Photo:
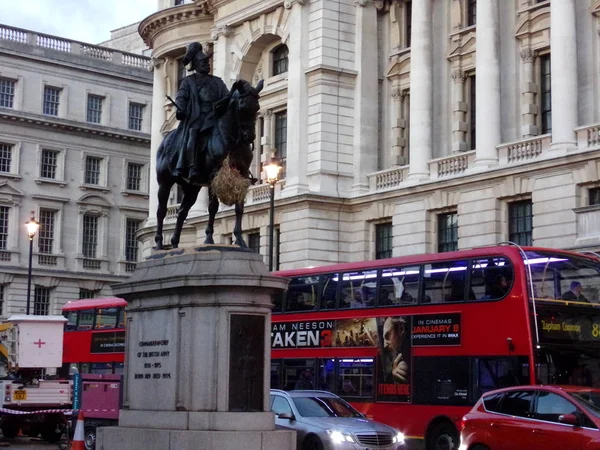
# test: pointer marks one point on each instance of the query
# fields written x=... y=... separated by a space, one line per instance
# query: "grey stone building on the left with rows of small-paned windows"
x=74 y=148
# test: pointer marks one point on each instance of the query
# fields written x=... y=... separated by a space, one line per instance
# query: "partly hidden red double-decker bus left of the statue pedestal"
x=94 y=338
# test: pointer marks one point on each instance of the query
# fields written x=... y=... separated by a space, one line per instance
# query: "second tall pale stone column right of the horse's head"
x=366 y=119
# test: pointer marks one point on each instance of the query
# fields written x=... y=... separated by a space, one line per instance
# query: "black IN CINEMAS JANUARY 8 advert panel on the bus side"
x=436 y=330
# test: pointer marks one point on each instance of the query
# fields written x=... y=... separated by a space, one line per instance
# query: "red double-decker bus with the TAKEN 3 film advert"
x=414 y=341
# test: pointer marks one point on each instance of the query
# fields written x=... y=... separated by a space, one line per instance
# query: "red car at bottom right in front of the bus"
x=534 y=417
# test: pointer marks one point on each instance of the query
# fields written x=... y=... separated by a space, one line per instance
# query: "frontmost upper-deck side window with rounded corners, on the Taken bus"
x=491 y=278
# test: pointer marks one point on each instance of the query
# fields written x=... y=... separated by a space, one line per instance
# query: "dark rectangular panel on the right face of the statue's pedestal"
x=246 y=363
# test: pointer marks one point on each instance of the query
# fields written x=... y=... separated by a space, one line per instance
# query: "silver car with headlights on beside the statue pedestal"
x=324 y=421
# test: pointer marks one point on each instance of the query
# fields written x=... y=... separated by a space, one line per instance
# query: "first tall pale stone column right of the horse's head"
x=297 y=104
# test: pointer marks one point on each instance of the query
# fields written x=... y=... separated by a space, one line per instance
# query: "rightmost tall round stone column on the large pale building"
x=563 y=61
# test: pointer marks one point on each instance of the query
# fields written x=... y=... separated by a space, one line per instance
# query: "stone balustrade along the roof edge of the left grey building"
x=59 y=44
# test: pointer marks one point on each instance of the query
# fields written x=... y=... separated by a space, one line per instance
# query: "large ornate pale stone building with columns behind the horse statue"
x=404 y=126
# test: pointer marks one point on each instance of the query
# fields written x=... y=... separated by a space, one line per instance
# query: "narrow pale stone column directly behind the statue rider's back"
x=159 y=91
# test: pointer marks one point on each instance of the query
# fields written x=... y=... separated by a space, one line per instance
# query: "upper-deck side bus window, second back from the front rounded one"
x=445 y=282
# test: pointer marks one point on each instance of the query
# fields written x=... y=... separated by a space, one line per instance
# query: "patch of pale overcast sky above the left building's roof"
x=82 y=20
